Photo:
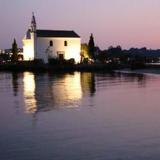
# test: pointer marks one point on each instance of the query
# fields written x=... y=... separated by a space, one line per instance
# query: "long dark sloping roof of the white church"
x=57 y=33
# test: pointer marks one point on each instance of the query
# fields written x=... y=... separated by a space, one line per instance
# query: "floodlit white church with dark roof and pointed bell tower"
x=48 y=44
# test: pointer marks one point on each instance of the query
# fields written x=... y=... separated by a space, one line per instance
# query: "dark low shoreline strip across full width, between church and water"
x=63 y=68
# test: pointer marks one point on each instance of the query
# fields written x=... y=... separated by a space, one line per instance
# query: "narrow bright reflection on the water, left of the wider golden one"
x=29 y=92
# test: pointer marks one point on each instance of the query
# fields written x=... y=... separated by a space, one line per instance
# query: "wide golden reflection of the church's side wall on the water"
x=69 y=92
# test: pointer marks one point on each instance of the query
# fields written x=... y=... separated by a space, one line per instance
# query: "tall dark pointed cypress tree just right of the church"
x=91 y=47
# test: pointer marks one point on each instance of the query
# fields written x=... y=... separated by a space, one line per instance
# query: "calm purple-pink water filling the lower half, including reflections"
x=79 y=116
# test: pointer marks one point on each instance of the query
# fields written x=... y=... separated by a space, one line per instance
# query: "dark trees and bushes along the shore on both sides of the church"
x=113 y=57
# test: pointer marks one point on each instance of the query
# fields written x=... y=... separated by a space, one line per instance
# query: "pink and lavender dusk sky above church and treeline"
x=128 y=23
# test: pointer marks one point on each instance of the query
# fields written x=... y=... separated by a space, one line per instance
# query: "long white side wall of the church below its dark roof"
x=45 y=51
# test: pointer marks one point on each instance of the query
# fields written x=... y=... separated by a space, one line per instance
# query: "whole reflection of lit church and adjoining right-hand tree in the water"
x=44 y=92
